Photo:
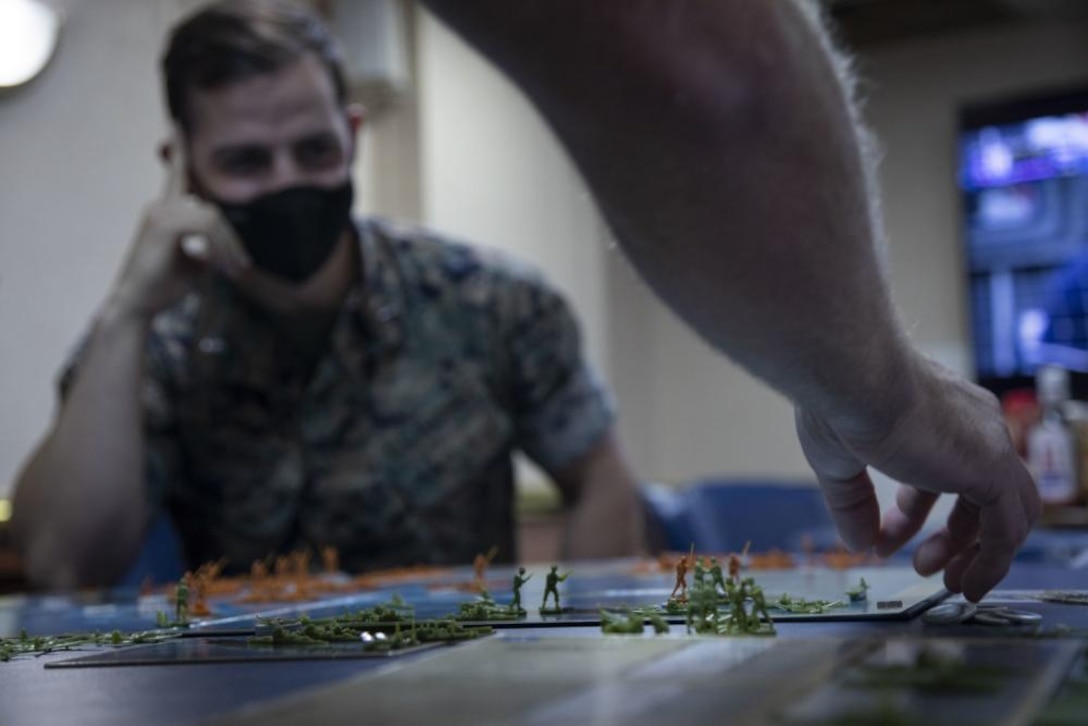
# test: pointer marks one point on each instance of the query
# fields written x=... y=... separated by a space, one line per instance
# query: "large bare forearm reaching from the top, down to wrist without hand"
x=721 y=142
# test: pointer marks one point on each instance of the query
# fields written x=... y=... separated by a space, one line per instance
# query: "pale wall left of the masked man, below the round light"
x=77 y=164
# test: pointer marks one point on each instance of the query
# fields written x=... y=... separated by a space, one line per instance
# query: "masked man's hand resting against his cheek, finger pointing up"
x=179 y=238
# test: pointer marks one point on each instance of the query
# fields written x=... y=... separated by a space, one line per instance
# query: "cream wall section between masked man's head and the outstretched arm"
x=493 y=175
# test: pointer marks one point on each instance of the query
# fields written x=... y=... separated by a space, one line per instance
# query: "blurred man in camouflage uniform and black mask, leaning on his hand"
x=276 y=376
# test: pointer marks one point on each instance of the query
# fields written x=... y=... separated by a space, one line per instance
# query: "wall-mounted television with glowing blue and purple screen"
x=1023 y=171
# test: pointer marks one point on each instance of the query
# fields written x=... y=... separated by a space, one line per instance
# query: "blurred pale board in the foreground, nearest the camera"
x=634 y=682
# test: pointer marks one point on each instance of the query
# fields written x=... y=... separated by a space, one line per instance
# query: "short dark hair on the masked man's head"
x=232 y=41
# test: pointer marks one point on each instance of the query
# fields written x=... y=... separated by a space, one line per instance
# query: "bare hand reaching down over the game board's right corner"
x=953 y=440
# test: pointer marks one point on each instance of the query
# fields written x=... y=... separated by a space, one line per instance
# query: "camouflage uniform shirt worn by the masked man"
x=397 y=446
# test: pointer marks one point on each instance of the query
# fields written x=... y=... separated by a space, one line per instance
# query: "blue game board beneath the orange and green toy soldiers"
x=896 y=593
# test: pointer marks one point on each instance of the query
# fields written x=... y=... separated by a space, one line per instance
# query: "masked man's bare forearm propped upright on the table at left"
x=80 y=508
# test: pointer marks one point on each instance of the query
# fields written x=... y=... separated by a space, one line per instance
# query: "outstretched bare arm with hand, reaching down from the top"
x=724 y=150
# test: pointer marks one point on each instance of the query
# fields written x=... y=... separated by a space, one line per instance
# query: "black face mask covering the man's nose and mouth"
x=291 y=233
